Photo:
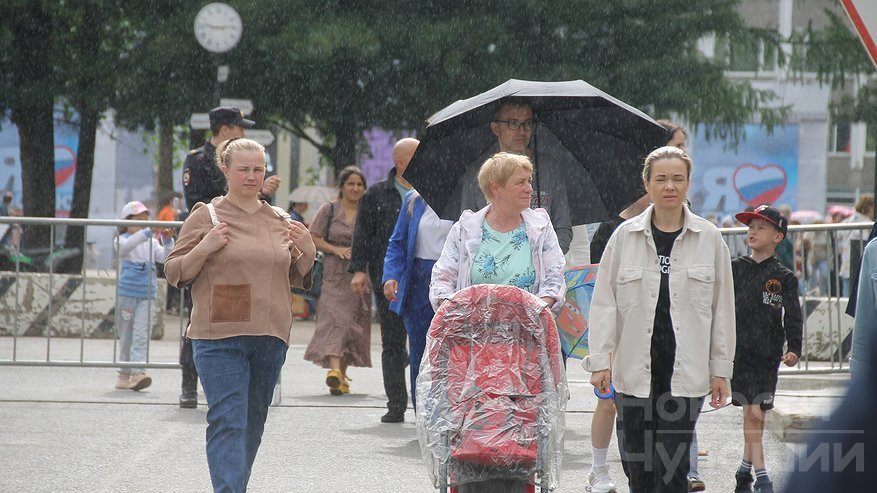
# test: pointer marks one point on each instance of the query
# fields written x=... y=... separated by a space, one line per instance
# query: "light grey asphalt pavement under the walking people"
x=66 y=429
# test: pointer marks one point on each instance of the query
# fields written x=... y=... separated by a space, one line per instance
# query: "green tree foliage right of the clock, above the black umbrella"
x=343 y=67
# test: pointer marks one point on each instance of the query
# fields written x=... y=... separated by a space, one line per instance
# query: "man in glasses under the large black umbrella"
x=513 y=125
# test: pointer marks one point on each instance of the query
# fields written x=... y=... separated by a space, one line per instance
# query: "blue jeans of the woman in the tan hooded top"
x=238 y=375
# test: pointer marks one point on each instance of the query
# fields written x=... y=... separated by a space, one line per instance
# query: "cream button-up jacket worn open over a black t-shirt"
x=622 y=314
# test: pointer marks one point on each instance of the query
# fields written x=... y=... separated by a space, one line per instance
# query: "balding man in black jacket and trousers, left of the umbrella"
x=375 y=220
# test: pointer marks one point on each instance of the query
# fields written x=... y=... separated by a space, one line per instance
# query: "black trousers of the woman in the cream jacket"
x=657 y=439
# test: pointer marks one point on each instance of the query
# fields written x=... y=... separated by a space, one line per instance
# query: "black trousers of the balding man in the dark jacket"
x=394 y=356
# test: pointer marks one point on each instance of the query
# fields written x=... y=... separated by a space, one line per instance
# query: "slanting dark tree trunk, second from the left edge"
x=75 y=235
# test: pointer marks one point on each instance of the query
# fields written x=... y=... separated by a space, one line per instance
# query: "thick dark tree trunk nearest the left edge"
x=37 y=149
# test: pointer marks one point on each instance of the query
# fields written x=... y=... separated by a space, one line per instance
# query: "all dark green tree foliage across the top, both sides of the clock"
x=343 y=67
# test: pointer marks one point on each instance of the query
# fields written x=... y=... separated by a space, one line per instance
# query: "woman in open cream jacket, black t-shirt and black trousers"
x=663 y=307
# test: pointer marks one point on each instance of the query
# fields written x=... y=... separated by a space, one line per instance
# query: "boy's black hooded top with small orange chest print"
x=768 y=310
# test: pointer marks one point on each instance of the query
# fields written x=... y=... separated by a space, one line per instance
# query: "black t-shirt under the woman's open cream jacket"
x=663 y=347
